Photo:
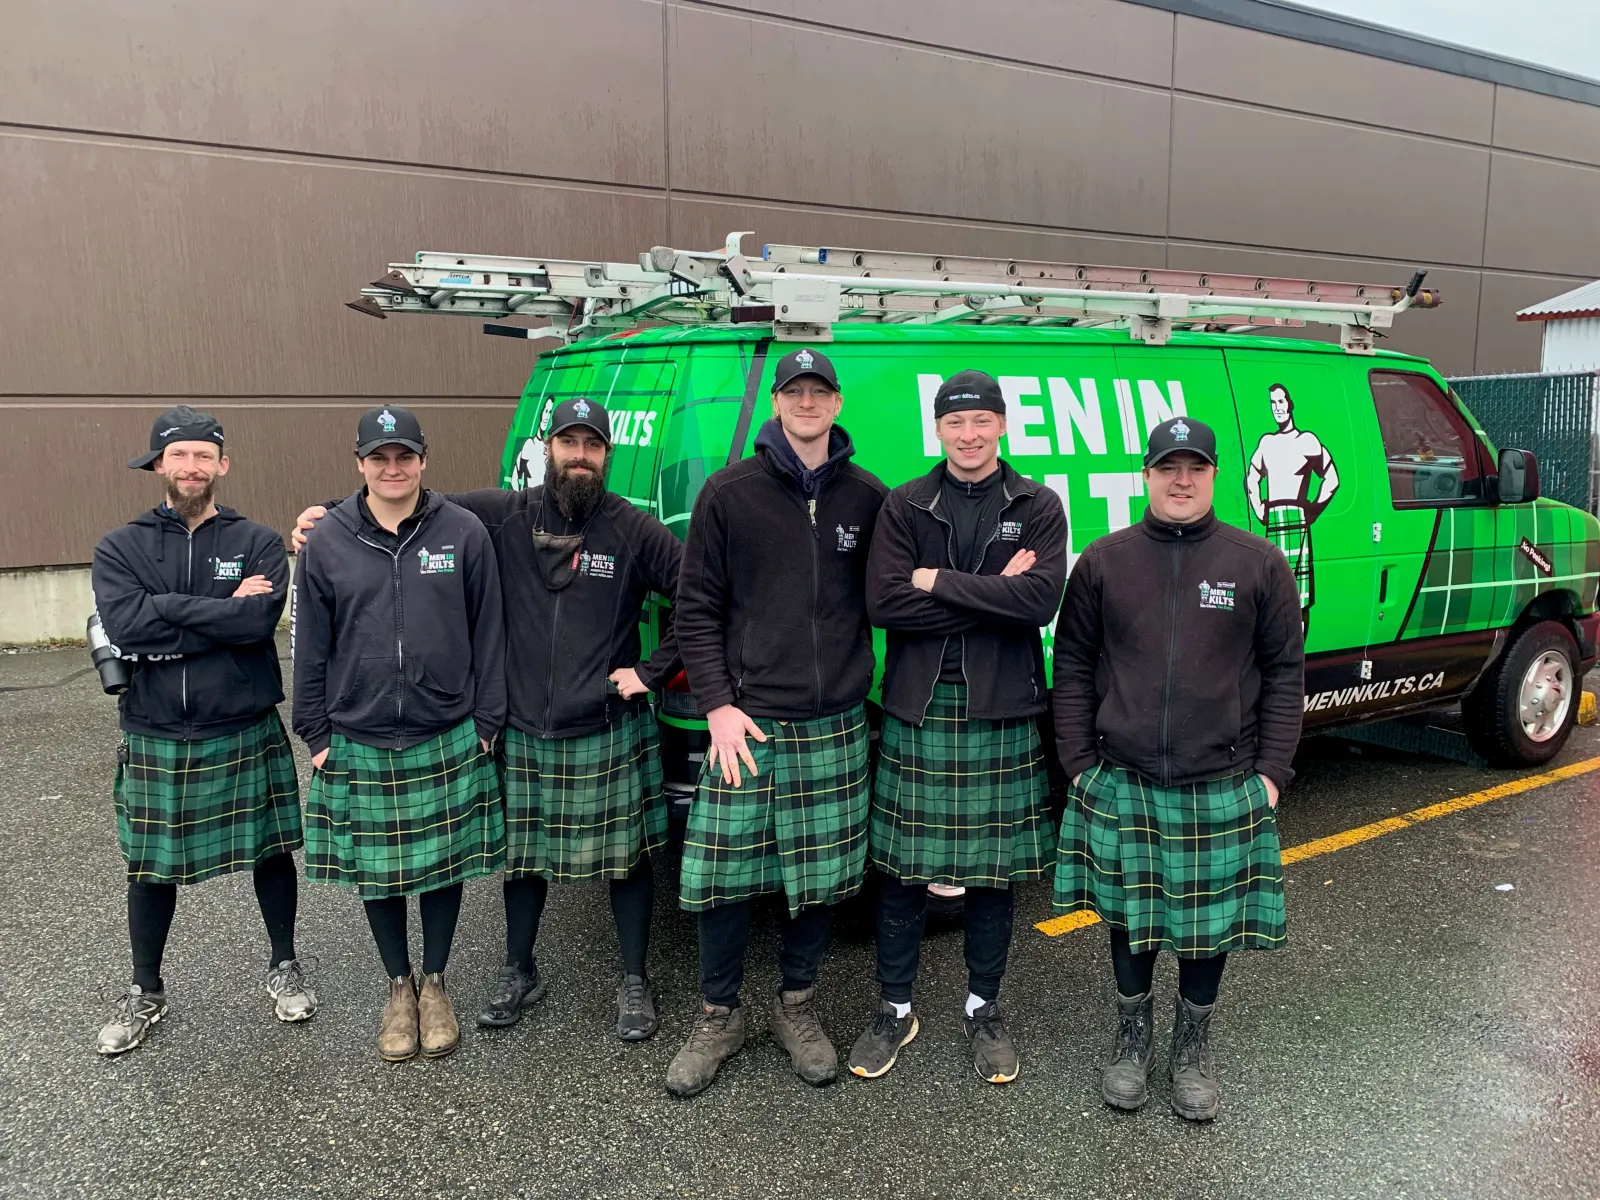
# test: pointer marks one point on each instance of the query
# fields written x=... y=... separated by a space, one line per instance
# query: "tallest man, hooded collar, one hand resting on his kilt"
x=774 y=628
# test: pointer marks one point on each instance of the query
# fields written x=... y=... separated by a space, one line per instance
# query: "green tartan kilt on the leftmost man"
x=190 y=810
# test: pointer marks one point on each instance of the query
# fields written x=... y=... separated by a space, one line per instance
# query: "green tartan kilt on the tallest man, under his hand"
x=798 y=826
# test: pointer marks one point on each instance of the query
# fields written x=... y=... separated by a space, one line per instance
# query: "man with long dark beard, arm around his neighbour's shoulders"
x=582 y=761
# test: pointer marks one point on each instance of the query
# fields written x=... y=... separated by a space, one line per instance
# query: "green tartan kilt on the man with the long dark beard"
x=583 y=809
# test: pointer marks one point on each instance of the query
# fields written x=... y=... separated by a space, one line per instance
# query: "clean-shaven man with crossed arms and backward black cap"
x=967 y=566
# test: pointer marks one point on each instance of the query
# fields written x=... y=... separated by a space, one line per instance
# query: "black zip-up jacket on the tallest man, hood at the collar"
x=772 y=602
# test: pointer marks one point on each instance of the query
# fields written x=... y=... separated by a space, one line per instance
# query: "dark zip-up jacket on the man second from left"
x=398 y=636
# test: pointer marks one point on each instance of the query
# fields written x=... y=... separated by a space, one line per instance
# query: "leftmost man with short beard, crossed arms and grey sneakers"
x=191 y=594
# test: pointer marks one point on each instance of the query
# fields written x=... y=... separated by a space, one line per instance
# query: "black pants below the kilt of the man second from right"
x=902 y=921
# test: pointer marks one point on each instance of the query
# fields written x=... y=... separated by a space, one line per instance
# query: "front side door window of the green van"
x=1428 y=446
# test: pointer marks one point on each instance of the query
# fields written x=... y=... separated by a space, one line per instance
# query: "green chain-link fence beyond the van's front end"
x=1551 y=415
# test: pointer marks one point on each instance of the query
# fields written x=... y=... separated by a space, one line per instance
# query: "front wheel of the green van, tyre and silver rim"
x=1526 y=706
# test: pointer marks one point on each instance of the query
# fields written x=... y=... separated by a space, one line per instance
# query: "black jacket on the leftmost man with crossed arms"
x=204 y=663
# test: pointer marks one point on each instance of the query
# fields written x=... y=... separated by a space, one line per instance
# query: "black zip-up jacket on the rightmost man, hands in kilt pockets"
x=1180 y=655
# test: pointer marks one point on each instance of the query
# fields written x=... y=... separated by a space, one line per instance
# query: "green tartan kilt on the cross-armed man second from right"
x=961 y=801
